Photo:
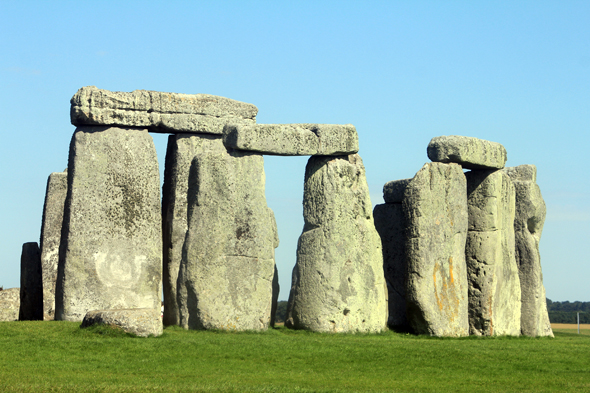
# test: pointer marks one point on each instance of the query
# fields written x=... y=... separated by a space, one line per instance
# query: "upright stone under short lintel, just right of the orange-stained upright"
x=494 y=287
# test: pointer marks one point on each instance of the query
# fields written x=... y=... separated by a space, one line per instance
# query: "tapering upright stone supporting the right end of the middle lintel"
x=338 y=283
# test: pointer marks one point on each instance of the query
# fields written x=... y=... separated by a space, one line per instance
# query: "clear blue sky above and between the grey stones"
x=517 y=73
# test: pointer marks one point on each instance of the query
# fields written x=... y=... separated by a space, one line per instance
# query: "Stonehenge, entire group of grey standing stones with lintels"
x=453 y=251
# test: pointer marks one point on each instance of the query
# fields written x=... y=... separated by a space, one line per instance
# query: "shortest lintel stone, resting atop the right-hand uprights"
x=471 y=153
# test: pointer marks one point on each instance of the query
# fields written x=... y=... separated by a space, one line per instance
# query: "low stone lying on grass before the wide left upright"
x=142 y=322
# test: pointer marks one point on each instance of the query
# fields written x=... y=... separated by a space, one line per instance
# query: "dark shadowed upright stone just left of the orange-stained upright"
x=390 y=223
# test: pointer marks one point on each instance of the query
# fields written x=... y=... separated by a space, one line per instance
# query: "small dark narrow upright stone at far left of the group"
x=31 y=284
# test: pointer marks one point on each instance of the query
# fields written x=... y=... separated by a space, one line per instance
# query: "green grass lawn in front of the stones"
x=59 y=356
